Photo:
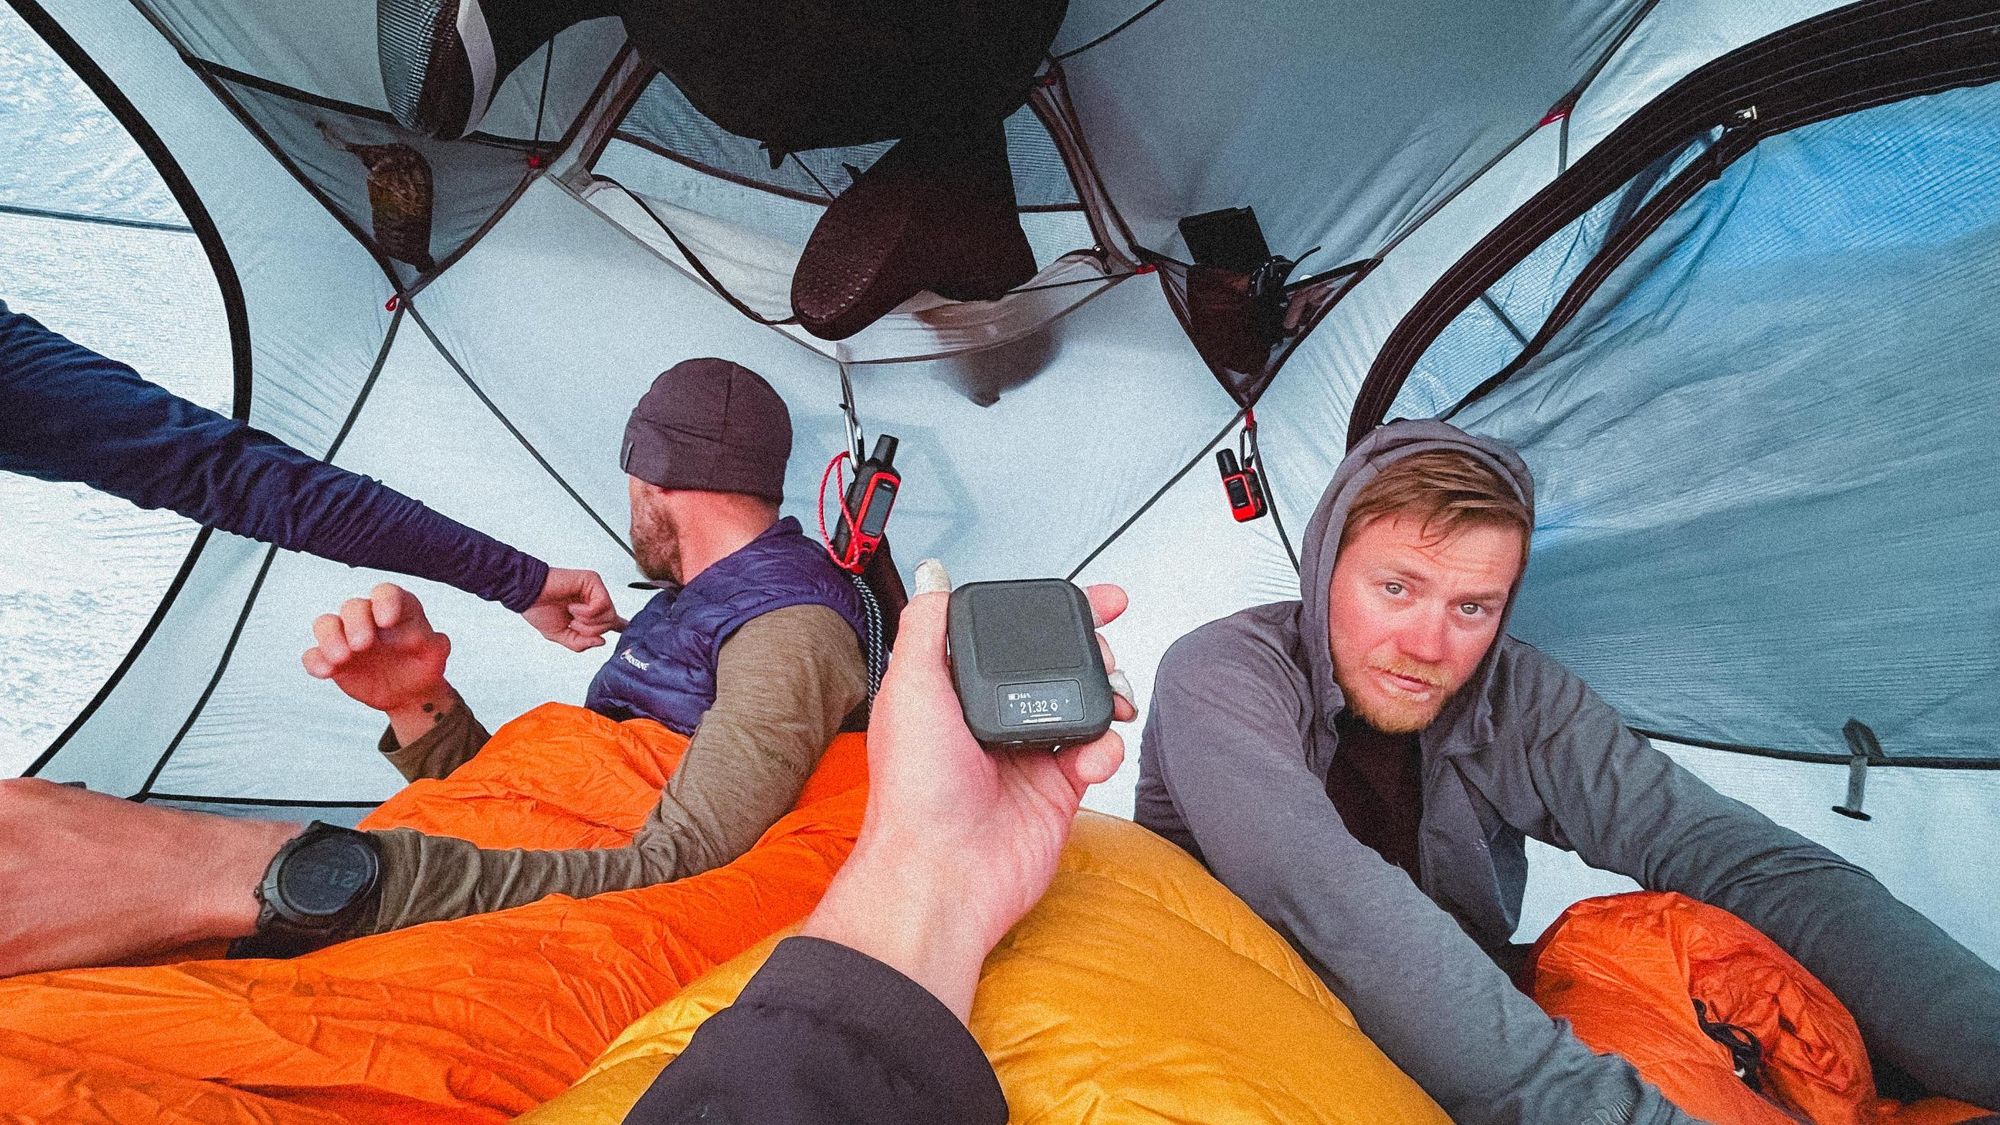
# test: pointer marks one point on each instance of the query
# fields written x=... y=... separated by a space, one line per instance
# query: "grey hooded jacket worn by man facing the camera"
x=1235 y=762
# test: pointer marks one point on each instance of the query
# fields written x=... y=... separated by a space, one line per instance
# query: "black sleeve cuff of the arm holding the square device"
x=827 y=1034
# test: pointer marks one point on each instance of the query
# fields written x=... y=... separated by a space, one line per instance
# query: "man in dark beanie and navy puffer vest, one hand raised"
x=753 y=648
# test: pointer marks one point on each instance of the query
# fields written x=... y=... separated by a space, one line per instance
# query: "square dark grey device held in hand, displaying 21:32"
x=1027 y=666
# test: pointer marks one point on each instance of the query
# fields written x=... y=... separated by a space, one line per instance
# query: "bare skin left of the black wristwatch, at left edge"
x=93 y=880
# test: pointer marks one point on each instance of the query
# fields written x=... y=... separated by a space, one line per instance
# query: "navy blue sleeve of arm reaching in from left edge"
x=69 y=413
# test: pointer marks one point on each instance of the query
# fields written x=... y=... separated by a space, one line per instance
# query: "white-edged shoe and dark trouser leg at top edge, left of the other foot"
x=443 y=61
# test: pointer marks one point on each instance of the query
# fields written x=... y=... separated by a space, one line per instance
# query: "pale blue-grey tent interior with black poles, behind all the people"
x=1725 y=273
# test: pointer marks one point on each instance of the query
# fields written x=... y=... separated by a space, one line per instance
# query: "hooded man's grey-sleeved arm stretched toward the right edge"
x=1921 y=1000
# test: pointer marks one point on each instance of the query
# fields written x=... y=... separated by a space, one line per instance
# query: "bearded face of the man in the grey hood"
x=1411 y=616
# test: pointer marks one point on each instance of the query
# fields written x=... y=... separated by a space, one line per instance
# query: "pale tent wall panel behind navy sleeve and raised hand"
x=421 y=431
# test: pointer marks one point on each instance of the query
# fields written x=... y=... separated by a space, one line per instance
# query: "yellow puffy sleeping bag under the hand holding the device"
x=1139 y=990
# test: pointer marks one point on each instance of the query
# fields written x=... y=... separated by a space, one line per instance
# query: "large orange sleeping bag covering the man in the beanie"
x=459 y=1022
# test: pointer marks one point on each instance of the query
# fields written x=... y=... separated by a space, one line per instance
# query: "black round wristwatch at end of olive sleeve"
x=315 y=890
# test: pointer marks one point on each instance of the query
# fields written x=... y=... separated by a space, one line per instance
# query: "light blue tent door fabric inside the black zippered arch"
x=1767 y=445
